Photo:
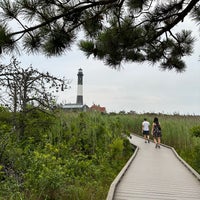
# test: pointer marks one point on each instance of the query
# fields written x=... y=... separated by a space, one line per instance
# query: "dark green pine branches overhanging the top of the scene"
x=116 y=31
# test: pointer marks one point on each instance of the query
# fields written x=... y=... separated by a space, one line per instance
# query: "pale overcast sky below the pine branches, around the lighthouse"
x=141 y=88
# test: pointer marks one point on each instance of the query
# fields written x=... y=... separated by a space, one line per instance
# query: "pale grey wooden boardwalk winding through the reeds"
x=155 y=174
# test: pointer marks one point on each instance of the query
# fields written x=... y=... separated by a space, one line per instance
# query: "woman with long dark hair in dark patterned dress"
x=156 y=132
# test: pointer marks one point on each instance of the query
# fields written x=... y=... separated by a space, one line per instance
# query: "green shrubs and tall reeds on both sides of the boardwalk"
x=76 y=156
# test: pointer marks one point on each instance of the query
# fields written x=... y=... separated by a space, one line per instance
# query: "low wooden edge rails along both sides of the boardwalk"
x=122 y=173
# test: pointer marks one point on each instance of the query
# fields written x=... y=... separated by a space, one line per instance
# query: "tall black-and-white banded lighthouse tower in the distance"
x=79 y=99
